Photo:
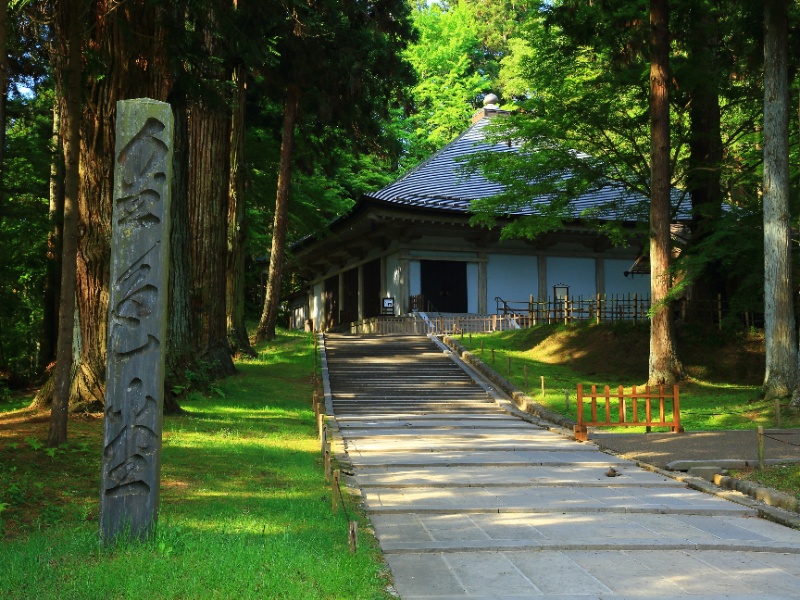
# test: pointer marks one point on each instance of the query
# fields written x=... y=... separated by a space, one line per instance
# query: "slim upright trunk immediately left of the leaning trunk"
x=237 y=222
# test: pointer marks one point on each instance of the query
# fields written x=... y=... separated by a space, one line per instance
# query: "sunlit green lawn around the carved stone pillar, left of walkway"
x=245 y=510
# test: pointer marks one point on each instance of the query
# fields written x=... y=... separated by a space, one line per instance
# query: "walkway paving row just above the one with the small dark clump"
x=465 y=458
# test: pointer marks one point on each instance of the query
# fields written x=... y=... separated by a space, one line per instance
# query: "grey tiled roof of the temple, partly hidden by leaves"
x=441 y=182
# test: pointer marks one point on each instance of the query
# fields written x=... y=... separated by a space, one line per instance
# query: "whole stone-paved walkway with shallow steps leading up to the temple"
x=469 y=501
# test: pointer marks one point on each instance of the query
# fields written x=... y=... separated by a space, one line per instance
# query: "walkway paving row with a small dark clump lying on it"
x=432 y=476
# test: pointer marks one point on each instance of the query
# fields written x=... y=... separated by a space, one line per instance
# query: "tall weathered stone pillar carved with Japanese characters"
x=130 y=489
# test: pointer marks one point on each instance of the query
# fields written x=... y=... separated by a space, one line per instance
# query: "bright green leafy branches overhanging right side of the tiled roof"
x=583 y=112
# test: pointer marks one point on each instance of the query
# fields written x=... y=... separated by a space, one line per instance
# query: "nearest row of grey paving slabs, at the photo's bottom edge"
x=573 y=574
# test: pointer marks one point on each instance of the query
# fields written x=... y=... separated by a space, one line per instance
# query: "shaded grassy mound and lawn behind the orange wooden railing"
x=721 y=392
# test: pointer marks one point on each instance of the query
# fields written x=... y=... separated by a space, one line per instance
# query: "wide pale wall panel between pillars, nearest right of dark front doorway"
x=513 y=278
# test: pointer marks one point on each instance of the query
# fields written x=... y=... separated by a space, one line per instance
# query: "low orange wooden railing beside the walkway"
x=620 y=416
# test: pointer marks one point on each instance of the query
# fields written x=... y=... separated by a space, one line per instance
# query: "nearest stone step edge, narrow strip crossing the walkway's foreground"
x=459 y=546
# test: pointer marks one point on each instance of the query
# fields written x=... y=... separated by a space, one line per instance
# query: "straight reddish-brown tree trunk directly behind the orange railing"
x=664 y=365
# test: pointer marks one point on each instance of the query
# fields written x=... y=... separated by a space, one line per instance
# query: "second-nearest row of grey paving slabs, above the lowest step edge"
x=413 y=532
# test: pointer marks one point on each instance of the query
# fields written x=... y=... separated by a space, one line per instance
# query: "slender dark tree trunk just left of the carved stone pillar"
x=69 y=23
